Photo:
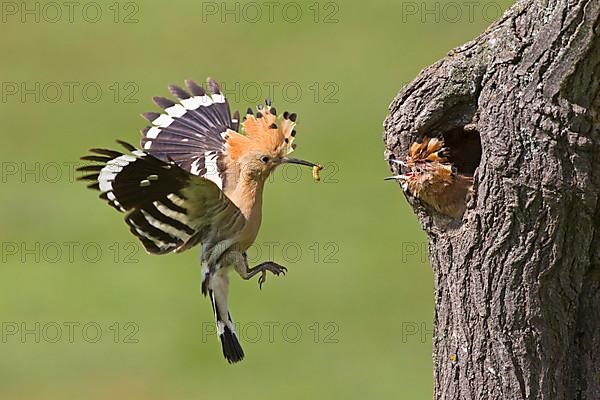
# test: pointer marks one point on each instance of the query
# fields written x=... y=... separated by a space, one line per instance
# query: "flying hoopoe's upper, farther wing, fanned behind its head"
x=191 y=132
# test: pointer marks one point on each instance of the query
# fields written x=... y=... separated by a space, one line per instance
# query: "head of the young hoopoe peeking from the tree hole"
x=426 y=167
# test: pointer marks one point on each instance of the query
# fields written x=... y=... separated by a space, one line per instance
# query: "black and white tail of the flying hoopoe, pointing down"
x=217 y=286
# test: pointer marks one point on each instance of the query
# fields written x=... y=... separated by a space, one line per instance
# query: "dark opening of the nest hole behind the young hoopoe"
x=464 y=148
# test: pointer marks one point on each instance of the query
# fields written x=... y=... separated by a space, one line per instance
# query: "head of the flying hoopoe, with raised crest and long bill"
x=265 y=142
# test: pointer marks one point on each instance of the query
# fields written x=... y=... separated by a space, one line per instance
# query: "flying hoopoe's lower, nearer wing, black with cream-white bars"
x=168 y=208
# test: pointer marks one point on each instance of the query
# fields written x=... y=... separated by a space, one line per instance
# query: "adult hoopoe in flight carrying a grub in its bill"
x=199 y=180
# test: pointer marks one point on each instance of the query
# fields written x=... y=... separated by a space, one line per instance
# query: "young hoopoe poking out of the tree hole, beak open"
x=431 y=177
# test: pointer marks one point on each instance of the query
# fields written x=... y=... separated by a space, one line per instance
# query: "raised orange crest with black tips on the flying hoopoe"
x=265 y=132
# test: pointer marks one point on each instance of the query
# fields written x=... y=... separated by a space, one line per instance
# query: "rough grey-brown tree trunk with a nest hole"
x=517 y=299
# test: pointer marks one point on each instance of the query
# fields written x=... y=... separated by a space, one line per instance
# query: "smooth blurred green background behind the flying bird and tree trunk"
x=353 y=317
